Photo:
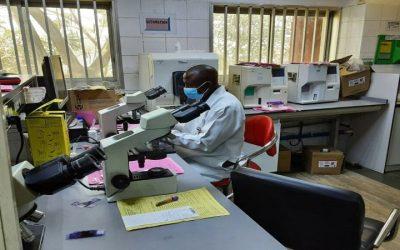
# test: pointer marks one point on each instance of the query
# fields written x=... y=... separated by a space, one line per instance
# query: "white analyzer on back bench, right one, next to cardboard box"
x=313 y=82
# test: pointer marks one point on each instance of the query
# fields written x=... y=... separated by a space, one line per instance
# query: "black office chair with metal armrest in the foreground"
x=303 y=215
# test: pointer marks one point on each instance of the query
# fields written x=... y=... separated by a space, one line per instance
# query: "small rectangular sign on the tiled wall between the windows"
x=157 y=23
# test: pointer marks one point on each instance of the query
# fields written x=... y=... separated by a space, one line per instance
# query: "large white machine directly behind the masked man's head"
x=166 y=70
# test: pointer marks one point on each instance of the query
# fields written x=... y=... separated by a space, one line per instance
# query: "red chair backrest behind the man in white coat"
x=259 y=130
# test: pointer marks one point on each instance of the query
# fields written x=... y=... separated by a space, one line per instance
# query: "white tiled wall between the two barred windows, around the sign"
x=192 y=20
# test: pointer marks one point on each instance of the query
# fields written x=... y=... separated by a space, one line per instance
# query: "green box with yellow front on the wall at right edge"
x=387 y=50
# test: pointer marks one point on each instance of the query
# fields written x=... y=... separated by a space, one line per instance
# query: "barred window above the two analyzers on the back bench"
x=273 y=34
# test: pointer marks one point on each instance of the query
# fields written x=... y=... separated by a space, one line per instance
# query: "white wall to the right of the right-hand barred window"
x=361 y=24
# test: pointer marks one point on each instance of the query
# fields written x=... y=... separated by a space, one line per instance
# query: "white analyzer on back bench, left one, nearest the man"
x=256 y=84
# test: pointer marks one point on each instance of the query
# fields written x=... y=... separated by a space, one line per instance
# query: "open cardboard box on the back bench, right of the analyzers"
x=354 y=82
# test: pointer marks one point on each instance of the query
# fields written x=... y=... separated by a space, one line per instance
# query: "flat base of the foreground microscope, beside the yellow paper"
x=144 y=188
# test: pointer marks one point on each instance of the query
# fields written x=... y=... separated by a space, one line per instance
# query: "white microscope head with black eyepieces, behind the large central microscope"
x=132 y=102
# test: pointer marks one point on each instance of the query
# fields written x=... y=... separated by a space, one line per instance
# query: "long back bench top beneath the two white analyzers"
x=326 y=109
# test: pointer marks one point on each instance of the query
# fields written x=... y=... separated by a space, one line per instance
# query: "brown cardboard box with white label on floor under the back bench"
x=318 y=162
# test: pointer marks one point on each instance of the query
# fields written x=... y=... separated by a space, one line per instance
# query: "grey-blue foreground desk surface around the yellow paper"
x=236 y=231
